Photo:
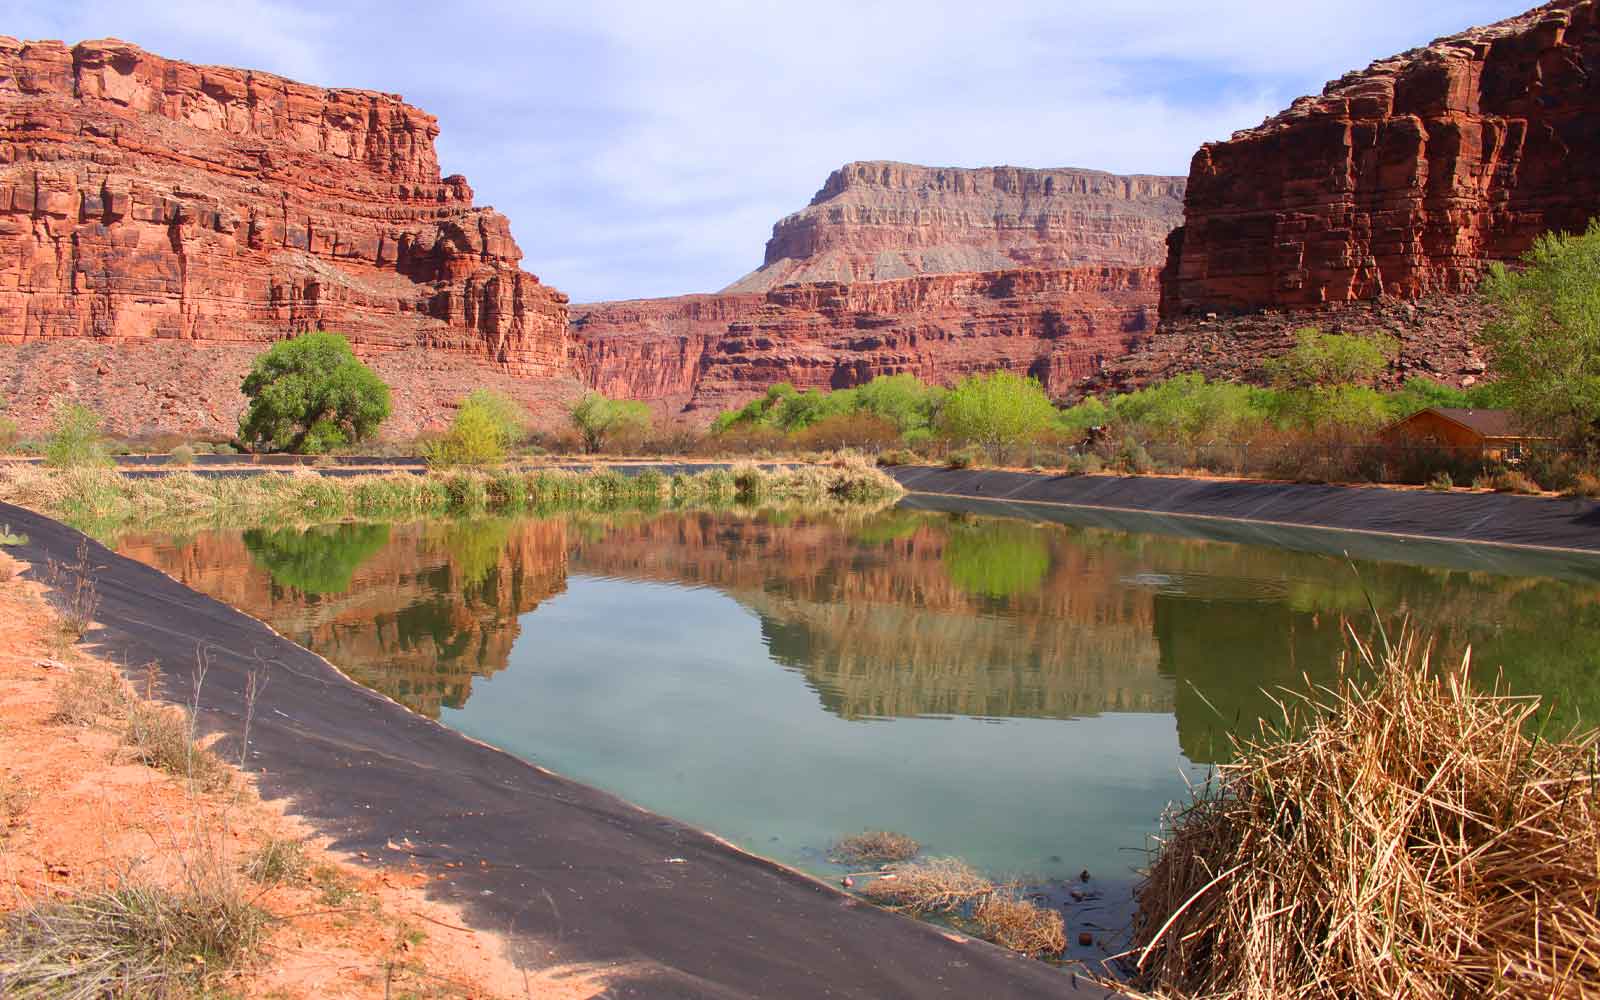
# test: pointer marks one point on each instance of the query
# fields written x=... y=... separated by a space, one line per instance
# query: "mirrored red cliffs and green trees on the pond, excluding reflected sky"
x=900 y=614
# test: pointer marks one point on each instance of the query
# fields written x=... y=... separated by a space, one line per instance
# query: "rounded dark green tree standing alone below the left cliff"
x=311 y=394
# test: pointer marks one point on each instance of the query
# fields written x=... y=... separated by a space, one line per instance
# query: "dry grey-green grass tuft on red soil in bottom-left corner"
x=134 y=942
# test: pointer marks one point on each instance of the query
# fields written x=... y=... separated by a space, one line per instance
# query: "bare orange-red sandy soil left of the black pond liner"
x=78 y=817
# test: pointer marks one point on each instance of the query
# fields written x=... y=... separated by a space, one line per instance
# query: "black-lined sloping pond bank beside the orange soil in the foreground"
x=572 y=874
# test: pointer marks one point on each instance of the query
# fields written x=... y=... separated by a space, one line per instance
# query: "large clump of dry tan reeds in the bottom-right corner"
x=1410 y=841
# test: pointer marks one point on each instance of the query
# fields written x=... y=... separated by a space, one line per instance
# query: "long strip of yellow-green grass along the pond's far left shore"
x=103 y=498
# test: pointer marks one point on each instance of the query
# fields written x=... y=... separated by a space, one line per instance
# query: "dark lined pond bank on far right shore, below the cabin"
x=1473 y=518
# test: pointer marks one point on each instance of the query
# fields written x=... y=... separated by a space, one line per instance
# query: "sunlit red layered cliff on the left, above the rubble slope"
x=150 y=202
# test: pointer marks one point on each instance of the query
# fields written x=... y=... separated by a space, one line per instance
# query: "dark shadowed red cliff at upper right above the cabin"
x=1399 y=183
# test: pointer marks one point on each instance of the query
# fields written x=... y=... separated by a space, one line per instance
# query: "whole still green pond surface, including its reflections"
x=1025 y=695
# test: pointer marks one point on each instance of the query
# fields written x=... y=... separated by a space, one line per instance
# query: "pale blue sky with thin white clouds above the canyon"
x=646 y=148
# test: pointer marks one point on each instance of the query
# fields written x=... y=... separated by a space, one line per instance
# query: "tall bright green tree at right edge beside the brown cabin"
x=1546 y=340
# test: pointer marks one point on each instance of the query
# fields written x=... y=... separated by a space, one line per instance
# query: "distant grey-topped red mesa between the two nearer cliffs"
x=906 y=270
